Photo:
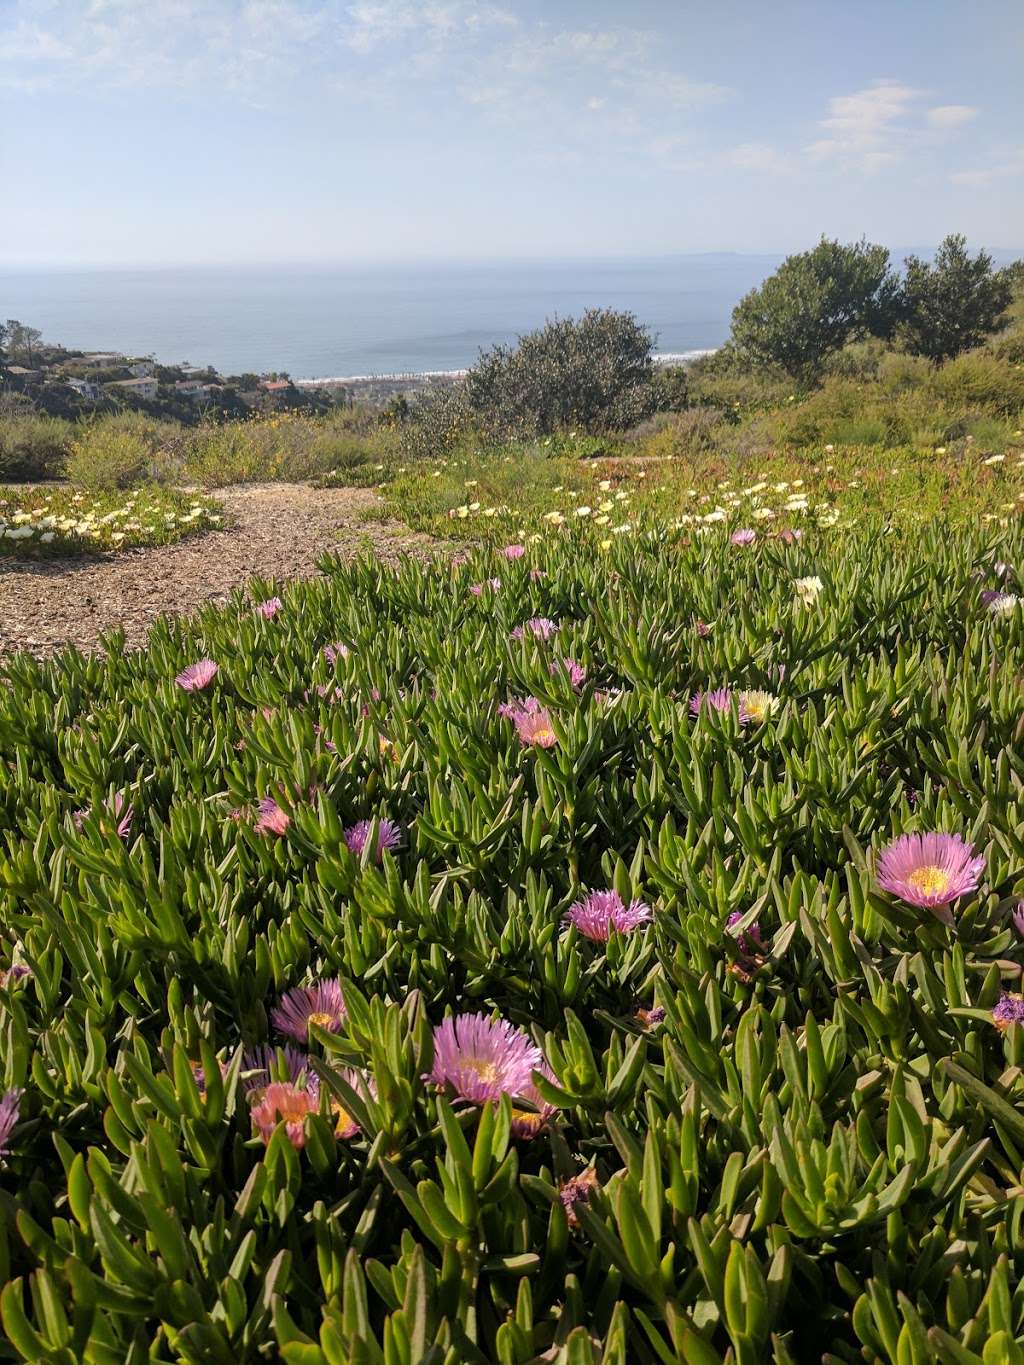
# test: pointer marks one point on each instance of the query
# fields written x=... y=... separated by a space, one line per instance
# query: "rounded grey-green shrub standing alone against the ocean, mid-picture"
x=595 y=375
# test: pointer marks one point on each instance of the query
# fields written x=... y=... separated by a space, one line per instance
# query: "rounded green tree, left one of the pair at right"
x=814 y=304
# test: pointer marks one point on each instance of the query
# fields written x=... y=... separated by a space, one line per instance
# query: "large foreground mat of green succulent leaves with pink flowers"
x=552 y=955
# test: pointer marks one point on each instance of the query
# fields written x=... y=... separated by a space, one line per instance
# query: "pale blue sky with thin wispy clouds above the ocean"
x=326 y=130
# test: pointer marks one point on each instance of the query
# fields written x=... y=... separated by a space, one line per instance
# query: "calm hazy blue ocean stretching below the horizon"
x=324 y=323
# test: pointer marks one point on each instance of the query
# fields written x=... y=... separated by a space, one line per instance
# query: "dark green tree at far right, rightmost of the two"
x=954 y=302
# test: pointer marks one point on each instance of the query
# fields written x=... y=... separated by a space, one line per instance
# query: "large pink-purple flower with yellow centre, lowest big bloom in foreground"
x=483 y=1060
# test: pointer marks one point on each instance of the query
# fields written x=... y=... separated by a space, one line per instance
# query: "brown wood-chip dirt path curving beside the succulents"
x=281 y=532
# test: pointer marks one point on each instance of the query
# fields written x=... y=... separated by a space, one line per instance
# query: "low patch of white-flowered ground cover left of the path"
x=61 y=519
